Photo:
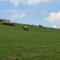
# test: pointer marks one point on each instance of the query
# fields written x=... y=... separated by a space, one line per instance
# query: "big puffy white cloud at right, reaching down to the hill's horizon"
x=54 y=18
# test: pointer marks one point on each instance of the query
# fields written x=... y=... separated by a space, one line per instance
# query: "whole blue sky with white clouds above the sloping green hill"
x=43 y=12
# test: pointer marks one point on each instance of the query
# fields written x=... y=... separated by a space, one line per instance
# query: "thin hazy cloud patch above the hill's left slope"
x=15 y=15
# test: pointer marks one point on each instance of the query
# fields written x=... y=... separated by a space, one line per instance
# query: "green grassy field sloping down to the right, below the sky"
x=36 y=44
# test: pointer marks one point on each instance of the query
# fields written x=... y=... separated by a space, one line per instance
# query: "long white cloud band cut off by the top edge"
x=29 y=2
